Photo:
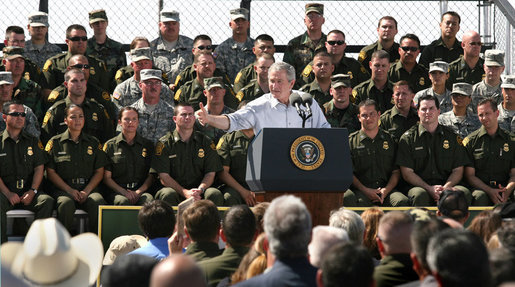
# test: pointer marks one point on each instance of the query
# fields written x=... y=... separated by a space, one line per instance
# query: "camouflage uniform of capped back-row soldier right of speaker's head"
x=301 y=50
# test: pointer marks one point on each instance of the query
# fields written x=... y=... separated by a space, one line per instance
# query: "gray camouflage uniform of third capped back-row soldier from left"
x=174 y=61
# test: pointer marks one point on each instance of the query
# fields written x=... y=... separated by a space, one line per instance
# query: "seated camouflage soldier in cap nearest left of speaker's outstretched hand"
x=155 y=115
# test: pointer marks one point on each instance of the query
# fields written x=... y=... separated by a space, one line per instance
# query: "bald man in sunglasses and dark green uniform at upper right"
x=469 y=67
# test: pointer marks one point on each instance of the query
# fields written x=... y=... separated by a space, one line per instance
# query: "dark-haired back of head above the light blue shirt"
x=156 y=219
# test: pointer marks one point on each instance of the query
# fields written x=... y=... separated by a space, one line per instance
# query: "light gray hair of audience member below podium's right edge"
x=349 y=221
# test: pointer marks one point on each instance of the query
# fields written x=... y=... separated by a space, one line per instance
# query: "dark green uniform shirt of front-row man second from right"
x=431 y=156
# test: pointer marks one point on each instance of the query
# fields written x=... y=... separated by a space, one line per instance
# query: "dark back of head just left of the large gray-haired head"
x=239 y=225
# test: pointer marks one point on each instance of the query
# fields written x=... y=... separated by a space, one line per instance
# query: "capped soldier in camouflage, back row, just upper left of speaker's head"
x=235 y=53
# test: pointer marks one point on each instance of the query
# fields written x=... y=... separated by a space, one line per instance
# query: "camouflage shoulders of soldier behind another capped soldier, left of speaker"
x=128 y=92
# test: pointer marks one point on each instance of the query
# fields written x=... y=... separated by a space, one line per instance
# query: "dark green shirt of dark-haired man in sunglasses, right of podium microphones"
x=418 y=78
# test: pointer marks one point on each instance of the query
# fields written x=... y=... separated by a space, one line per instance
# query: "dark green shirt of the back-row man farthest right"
x=437 y=51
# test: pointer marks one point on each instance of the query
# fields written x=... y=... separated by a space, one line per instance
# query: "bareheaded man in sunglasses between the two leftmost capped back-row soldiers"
x=55 y=67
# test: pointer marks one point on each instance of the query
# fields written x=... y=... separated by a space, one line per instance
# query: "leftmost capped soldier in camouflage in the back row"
x=38 y=49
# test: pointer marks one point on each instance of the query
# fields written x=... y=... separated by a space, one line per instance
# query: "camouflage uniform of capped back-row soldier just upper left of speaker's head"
x=232 y=56
